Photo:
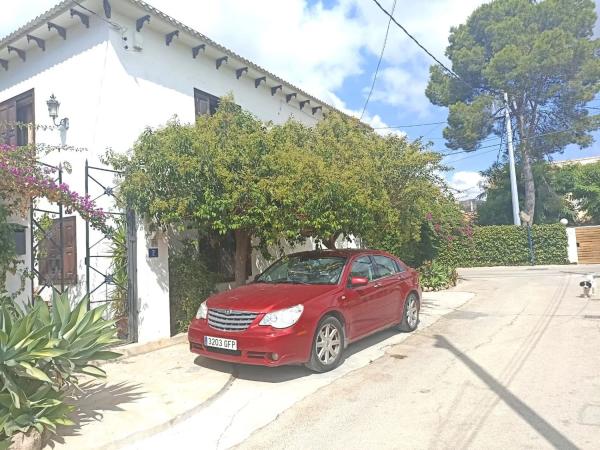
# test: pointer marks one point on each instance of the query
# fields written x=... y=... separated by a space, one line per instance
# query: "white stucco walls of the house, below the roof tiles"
x=110 y=95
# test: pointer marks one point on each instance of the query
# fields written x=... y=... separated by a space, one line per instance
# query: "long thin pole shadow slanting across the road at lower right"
x=538 y=423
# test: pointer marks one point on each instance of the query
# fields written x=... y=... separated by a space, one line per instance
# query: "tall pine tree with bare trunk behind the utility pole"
x=542 y=54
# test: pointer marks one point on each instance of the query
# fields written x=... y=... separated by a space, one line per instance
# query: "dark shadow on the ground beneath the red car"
x=288 y=373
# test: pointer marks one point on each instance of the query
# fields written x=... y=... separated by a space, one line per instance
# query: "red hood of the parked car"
x=263 y=297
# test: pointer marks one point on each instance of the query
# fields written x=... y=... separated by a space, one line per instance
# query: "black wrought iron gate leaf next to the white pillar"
x=110 y=259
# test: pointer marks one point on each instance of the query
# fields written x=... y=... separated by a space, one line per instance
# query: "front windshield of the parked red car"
x=304 y=270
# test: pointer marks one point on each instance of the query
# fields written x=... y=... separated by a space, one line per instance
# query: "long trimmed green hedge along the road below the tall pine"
x=506 y=245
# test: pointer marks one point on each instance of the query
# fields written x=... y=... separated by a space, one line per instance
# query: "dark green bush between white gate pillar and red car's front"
x=190 y=283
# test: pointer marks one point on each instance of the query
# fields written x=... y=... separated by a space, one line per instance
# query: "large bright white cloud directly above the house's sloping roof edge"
x=313 y=47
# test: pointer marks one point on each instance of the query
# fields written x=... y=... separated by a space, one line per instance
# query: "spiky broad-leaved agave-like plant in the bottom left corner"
x=42 y=351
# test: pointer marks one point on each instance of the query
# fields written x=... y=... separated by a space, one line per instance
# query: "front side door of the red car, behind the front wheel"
x=362 y=302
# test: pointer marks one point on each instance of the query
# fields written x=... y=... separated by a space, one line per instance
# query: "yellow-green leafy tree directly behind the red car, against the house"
x=229 y=172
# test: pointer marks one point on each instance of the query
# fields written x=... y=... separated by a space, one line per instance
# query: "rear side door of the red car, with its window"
x=391 y=281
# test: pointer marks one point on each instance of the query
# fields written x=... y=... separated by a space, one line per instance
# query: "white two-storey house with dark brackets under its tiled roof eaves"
x=116 y=67
